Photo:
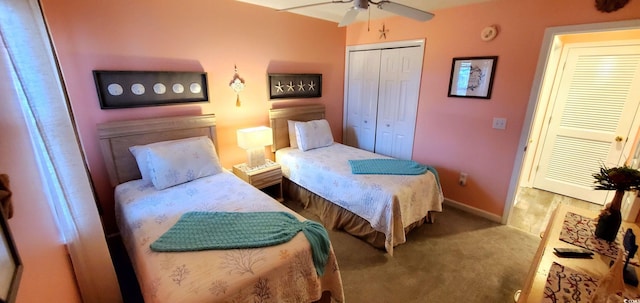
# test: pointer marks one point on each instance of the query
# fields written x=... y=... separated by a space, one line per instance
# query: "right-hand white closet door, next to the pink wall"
x=400 y=73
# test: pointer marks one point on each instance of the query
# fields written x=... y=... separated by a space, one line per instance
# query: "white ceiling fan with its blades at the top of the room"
x=363 y=5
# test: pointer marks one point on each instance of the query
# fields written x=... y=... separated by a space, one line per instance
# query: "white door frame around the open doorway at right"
x=547 y=65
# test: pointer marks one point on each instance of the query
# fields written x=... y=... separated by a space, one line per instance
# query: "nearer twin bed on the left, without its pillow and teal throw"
x=280 y=273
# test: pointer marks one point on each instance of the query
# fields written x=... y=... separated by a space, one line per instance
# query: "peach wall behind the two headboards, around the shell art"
x=198 y=35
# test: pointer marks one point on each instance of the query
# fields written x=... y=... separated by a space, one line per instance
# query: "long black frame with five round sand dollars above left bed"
x=126 y=89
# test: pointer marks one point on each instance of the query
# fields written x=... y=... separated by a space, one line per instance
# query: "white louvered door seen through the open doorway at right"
x=594 y=105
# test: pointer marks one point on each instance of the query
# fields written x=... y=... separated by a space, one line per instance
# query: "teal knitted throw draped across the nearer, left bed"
x=230 y=230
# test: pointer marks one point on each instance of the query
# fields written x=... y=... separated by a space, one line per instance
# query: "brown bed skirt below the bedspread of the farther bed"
x=335 y=217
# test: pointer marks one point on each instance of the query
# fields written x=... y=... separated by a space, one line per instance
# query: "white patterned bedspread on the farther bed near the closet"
x=388 y=202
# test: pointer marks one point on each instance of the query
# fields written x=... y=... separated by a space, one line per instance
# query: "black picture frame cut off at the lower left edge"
x=10 y=264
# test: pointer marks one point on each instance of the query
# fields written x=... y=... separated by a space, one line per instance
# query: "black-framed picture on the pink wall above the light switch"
x=472 y=77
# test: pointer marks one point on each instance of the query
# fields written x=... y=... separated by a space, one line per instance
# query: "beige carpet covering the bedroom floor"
x=459 y=258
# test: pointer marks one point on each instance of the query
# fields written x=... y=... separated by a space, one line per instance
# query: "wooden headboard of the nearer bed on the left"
x=116 y=138
